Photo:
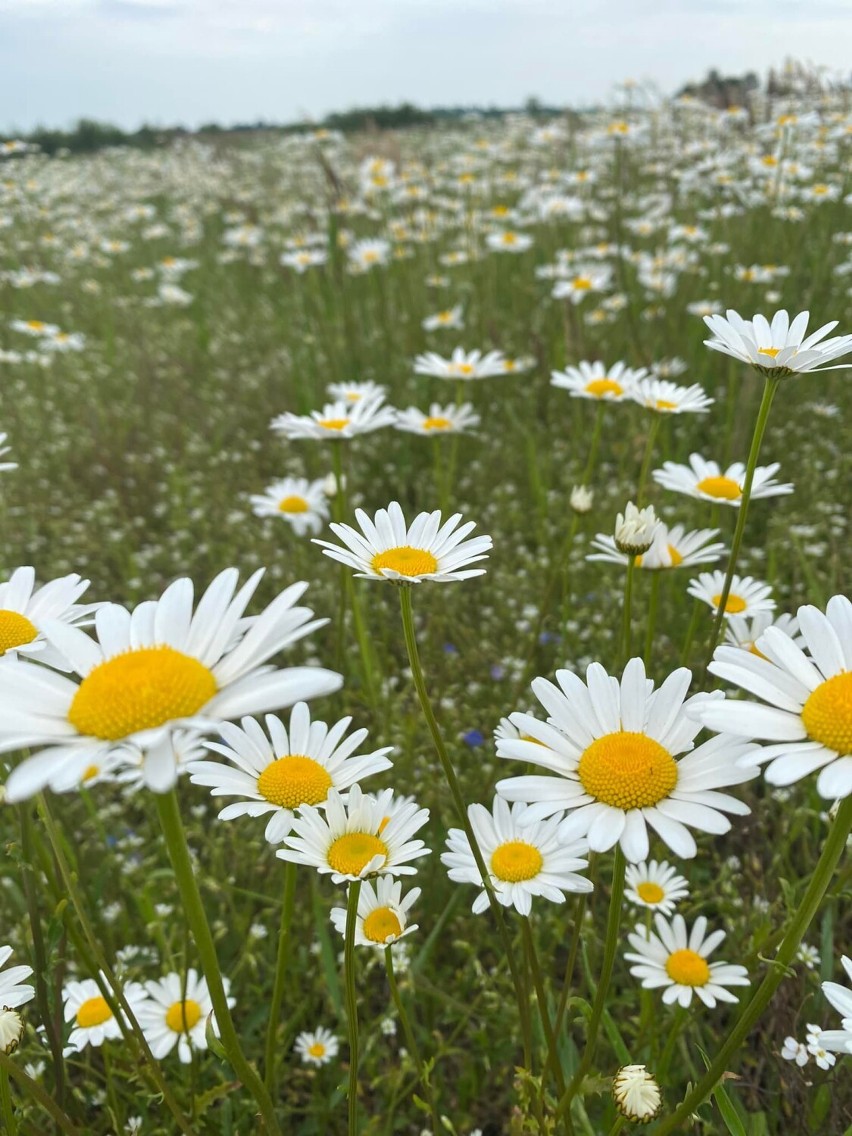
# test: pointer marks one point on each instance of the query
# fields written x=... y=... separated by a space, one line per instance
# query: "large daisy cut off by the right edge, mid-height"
x=807 y=699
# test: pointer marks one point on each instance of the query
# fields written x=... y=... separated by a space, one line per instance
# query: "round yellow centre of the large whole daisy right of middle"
x=628 y=771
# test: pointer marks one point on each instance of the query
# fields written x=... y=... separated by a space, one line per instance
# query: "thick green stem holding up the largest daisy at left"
x=179 y=853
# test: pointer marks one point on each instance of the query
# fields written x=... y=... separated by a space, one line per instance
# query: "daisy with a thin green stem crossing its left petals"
x=524 y=861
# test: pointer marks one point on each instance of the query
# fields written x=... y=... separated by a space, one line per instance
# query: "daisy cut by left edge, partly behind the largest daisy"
x=24 y=608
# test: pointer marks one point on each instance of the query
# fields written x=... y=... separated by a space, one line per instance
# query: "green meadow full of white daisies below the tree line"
x=427 y=682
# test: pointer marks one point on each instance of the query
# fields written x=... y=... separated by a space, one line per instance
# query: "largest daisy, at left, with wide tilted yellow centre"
x=151 y=672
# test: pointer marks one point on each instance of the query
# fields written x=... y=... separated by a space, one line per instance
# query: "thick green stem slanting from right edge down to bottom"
x=832 y=853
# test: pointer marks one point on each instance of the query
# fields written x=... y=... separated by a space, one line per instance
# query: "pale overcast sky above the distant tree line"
x=189 y=62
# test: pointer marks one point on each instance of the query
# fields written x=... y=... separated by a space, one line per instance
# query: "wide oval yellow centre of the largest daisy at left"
x=140 y=690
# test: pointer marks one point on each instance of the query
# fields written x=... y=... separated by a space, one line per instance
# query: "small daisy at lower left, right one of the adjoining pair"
x=177 y=1014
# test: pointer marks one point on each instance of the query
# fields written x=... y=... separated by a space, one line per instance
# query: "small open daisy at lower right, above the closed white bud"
x=676 y=960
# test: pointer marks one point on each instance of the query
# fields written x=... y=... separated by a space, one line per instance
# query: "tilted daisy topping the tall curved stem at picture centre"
x=427 y=550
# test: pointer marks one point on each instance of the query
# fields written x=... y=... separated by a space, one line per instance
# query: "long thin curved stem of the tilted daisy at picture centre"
x=414 y=659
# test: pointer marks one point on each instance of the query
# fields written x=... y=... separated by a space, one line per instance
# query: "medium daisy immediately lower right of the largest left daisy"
x=278 y=774
